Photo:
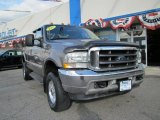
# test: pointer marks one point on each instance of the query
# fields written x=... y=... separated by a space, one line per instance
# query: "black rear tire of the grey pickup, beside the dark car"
x=26 y=72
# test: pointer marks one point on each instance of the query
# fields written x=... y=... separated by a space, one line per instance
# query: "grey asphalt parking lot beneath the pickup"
x=20 y=100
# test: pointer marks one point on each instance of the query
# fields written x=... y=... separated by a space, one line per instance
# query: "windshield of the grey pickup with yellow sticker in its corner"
x=68 y=32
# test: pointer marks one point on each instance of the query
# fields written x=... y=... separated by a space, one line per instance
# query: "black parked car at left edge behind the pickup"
x=10 y=58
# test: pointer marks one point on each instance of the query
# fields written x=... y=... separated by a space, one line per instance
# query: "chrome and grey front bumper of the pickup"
x=83 y=81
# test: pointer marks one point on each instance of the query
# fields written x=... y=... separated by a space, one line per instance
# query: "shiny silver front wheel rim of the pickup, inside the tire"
x=52 y=92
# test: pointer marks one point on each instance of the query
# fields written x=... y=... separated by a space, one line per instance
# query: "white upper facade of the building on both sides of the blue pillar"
x=90 y=9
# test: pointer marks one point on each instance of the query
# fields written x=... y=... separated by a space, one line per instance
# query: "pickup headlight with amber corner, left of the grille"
x=76 y=60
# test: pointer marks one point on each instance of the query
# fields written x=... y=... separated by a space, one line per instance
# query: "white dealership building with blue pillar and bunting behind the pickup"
x=135 y=21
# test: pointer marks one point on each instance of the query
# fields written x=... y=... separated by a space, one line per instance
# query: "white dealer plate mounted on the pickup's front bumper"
x=125 y=85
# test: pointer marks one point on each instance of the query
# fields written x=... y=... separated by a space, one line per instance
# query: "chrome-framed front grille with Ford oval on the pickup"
x=112 y=58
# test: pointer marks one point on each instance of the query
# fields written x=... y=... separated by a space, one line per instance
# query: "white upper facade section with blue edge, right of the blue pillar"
x=112 y=9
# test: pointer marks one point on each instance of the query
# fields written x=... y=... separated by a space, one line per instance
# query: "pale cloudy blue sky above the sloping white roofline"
x=23 y=5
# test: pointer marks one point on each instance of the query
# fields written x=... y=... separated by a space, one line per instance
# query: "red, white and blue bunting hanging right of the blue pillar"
x=150 y=21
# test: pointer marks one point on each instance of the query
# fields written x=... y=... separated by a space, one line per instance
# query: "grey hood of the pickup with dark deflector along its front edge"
x=85 y=44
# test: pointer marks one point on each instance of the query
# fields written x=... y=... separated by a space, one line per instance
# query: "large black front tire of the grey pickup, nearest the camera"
x=62 y=100
